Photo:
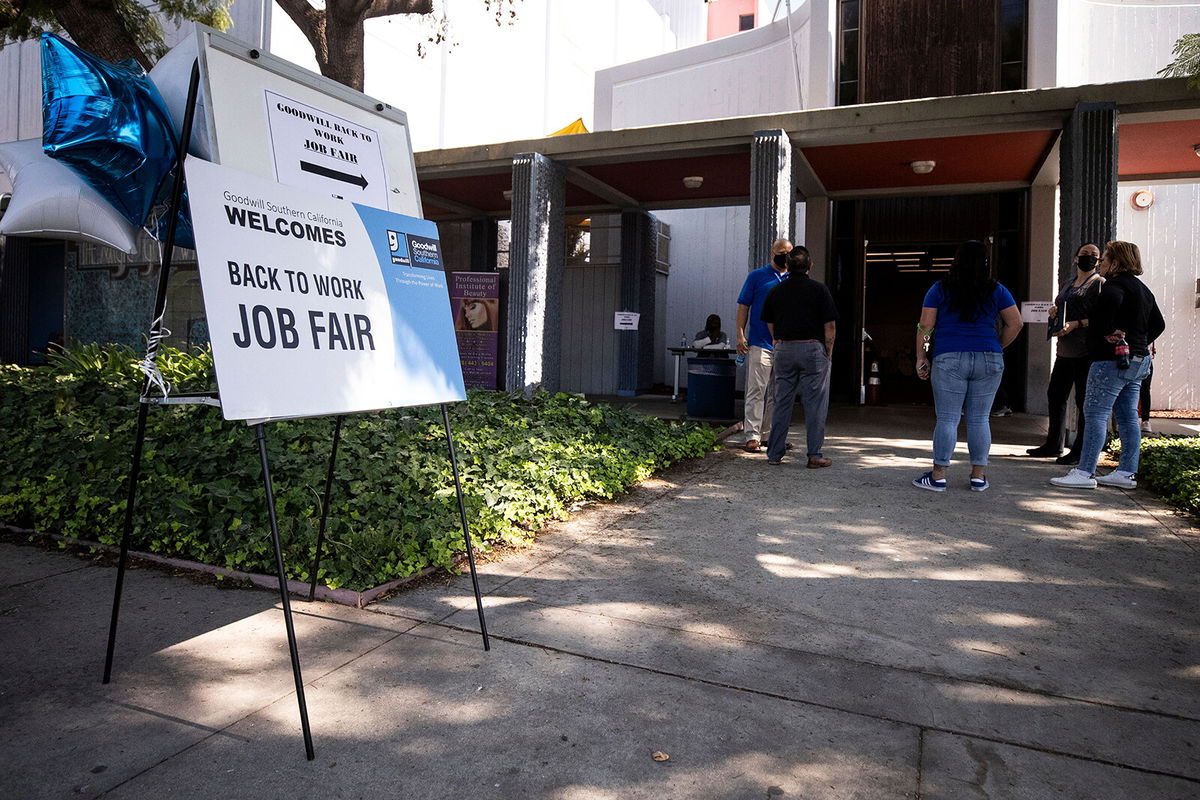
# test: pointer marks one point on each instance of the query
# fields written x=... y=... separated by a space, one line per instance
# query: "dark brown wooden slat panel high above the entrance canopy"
x=928 y=49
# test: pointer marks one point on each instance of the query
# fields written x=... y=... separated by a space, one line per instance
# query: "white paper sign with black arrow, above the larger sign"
x=323 y=153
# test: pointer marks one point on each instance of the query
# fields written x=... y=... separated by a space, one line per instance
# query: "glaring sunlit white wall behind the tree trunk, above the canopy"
x=491 y=83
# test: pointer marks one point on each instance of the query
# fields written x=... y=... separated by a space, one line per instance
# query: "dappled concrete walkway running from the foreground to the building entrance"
x=777 y=631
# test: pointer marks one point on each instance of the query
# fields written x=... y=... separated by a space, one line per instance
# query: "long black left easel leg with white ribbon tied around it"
x=160 y=309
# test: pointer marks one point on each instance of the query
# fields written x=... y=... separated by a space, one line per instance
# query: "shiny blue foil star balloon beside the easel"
x=109 y=123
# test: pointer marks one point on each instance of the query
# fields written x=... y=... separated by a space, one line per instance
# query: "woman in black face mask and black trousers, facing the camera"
x=1069 y=323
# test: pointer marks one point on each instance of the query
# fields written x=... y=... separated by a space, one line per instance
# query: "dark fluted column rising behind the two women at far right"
x=1088 y=207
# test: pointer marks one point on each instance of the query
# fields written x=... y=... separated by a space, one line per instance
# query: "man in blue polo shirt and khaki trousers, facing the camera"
x=754 y=342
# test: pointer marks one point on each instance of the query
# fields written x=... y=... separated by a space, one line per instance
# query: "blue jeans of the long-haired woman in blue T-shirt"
x=964 y=383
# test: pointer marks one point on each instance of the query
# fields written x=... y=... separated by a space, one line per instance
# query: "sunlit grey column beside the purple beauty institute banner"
x=536 y=274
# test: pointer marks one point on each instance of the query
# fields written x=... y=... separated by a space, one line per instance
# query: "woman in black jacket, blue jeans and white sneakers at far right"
x=1124 y=324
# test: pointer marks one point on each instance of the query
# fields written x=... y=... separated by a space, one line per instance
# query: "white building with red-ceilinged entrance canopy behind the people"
x=632 y=68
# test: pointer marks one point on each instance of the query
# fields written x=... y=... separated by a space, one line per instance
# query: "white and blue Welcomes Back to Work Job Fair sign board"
x=319 y=306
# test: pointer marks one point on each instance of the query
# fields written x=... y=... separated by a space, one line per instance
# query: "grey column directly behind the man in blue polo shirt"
x=772 y=195
